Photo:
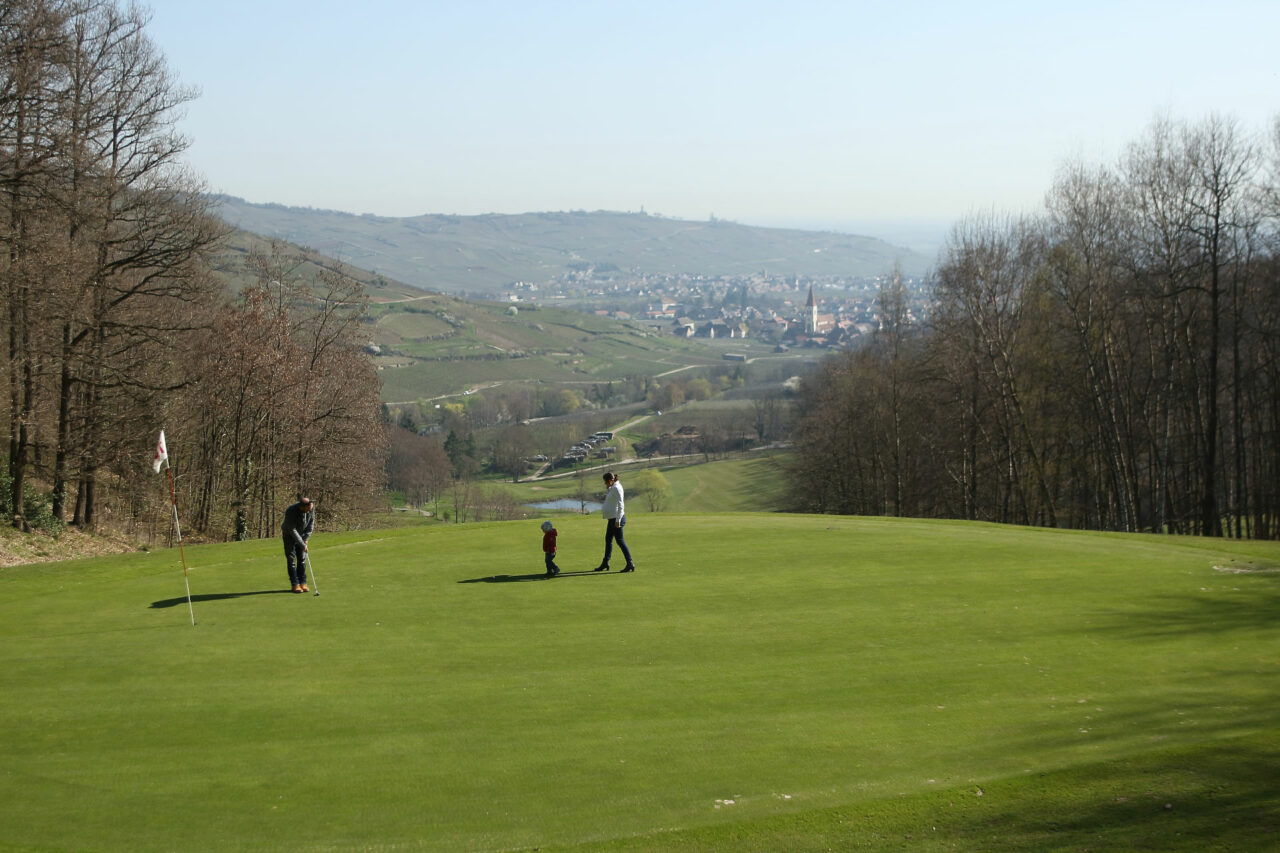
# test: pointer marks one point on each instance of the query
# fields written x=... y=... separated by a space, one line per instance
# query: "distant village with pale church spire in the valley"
x=787 y=311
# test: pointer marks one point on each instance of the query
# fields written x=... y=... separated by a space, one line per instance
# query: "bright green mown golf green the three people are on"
x=764 y=682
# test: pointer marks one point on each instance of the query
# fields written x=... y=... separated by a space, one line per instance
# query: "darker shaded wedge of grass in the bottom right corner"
x=1205 y=799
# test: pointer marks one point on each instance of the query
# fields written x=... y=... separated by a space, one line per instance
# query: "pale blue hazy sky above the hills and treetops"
x=839 y=116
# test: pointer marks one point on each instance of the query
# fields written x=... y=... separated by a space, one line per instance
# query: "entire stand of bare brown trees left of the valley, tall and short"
x=115 y=323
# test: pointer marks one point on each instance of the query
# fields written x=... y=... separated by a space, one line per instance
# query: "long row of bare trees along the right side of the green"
x=1109 y=363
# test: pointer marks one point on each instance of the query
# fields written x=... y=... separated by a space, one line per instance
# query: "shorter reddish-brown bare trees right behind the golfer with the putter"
x=290 y=400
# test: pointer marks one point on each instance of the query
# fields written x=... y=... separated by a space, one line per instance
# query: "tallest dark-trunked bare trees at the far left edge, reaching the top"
x=106 y=232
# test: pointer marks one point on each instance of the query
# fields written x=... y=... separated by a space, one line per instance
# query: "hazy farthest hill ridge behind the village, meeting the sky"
x=488 y=253
